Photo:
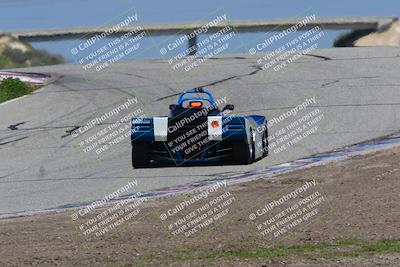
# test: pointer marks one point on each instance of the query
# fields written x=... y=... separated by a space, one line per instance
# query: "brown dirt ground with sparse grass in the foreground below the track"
x=352 y=219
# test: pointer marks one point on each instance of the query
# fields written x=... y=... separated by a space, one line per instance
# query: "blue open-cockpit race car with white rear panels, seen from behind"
x=198 y=131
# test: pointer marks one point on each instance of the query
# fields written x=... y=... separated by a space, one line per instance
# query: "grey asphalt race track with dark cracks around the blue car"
x=43 y=166
